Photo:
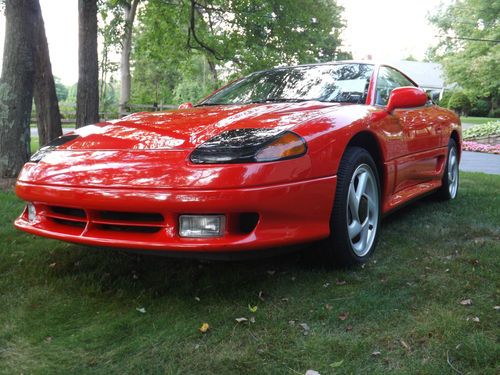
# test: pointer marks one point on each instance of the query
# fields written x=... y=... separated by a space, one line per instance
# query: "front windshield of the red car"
x=344 y=83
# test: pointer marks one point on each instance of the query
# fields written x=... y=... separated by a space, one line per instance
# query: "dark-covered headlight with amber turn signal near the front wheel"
x=250 y=146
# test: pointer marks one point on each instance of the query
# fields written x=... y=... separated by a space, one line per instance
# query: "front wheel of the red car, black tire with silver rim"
x=355 y=222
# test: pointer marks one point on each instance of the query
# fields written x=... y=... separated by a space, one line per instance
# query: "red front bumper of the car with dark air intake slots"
x=287 y=214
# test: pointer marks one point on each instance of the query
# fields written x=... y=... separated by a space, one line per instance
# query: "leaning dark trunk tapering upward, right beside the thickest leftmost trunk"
x=46 y=102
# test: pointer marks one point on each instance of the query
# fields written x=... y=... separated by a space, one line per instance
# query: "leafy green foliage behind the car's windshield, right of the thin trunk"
x=183 y=49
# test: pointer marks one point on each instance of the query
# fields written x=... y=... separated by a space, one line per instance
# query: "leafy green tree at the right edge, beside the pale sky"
x=469 y=47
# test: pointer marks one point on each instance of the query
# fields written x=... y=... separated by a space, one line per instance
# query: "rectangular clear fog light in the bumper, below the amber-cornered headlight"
x=199 y=226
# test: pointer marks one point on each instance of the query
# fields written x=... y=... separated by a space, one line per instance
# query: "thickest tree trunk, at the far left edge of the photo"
x=16 y=86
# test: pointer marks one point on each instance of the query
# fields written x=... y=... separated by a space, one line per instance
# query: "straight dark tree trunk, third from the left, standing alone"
x=87 y=97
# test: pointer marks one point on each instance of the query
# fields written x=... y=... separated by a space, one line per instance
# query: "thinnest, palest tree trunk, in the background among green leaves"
x=130 y=10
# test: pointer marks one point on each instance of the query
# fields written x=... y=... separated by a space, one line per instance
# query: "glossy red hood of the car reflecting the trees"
x=187 y=129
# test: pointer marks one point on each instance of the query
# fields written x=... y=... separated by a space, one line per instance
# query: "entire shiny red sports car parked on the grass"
x=281 y=157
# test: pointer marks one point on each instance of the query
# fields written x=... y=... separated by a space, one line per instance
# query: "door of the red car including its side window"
x=417 y=160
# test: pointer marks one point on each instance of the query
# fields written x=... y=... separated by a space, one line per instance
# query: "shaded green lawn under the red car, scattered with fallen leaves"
x=69 y=309
